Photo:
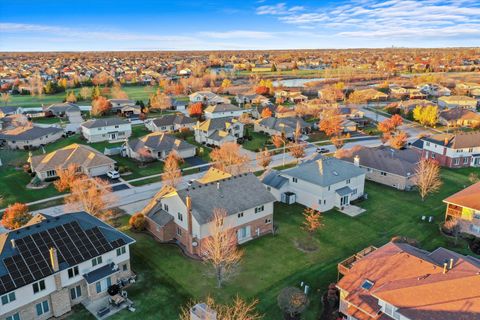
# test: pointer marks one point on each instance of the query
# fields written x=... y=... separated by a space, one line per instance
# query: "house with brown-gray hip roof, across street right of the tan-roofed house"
x=158 y=145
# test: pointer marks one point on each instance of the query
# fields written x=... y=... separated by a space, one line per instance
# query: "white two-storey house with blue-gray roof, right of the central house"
x=322 y=183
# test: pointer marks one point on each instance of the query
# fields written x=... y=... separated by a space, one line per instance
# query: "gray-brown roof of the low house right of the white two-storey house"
x=400 y=162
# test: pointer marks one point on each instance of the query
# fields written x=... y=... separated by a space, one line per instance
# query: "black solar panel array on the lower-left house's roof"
x=32 y=262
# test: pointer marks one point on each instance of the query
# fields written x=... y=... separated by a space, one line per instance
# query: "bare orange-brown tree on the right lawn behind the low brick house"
x=428 y=177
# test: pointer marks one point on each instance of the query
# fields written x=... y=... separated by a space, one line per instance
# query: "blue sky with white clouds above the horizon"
x=234 y=25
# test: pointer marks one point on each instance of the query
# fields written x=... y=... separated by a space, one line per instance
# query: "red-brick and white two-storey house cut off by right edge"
x=457 y=150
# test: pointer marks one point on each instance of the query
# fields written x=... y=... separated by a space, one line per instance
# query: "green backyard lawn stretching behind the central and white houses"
x=168 y=279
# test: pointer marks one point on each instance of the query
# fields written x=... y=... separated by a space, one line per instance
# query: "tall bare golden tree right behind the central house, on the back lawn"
x=220 y=249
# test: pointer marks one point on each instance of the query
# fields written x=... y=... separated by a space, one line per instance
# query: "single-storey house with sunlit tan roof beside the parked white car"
x=89 y=161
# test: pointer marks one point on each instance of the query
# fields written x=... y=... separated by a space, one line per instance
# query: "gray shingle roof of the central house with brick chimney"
x=235 y=194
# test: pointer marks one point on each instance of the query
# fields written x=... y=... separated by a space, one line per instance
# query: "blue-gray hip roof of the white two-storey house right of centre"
x=324 y=171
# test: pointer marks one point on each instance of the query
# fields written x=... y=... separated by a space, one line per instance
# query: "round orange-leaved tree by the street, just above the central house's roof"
x=228 y=158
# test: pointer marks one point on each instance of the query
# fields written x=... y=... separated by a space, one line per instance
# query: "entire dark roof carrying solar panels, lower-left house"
x=78 y=237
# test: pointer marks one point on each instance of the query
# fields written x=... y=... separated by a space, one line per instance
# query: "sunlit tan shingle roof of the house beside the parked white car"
x=79 y=154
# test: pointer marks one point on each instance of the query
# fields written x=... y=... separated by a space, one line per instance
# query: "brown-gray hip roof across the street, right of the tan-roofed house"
x=159 y=142
